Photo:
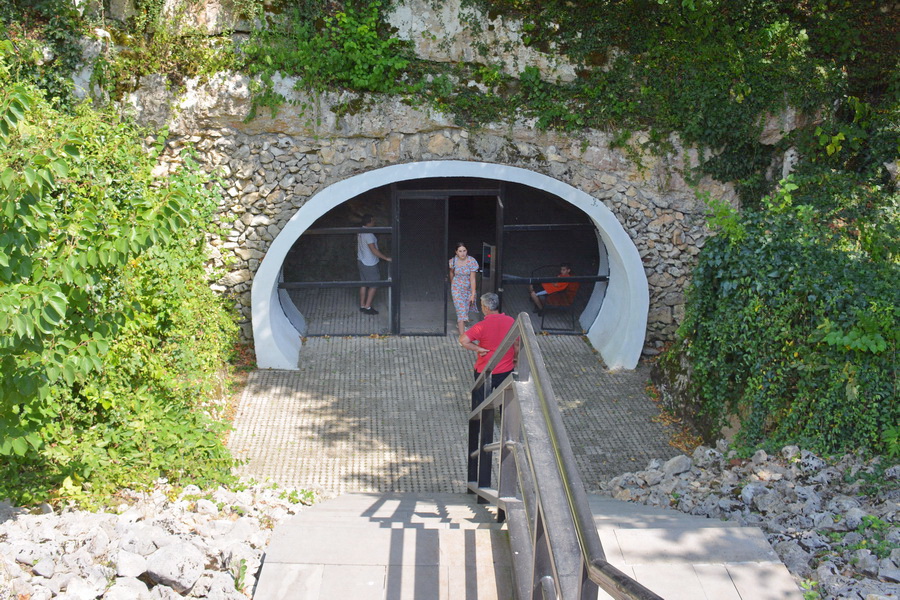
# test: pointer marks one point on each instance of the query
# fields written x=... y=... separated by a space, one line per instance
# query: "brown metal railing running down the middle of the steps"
x=555 y=546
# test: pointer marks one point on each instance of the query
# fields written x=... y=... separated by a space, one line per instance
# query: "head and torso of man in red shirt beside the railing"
x=484 y=337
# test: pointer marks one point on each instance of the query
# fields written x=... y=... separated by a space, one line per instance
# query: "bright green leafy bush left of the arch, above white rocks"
x=112 y=344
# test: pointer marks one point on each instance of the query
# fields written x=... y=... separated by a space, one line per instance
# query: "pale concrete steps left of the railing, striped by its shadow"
x=441 y=547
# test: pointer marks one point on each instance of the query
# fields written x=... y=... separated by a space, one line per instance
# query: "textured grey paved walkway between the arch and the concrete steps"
x=388 y=414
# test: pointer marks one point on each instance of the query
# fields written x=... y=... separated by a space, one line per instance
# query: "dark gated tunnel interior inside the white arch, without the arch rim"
x=418 y=223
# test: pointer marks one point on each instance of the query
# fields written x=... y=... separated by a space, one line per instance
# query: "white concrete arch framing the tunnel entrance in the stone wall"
x=617 y=332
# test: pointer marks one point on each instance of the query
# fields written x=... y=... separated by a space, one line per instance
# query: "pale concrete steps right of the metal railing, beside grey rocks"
x=684 y=557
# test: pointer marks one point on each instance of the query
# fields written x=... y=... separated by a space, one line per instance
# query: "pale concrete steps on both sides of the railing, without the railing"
x=446 y=547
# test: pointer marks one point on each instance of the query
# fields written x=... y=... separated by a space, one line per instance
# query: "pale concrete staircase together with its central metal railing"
x=557 y=542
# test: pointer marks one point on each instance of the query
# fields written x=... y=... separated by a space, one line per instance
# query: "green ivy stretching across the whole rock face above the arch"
x=710 y=70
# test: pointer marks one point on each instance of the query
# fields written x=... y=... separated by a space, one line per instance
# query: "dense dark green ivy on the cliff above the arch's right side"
x=708 y=69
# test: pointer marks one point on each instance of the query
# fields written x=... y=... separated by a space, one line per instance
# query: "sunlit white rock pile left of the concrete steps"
x=154 y=546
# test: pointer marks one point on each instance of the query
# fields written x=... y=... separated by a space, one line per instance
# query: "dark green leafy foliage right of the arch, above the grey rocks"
x=793 y=315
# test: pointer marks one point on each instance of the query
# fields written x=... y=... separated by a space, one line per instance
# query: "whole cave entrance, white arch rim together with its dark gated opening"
x=311 y=262
